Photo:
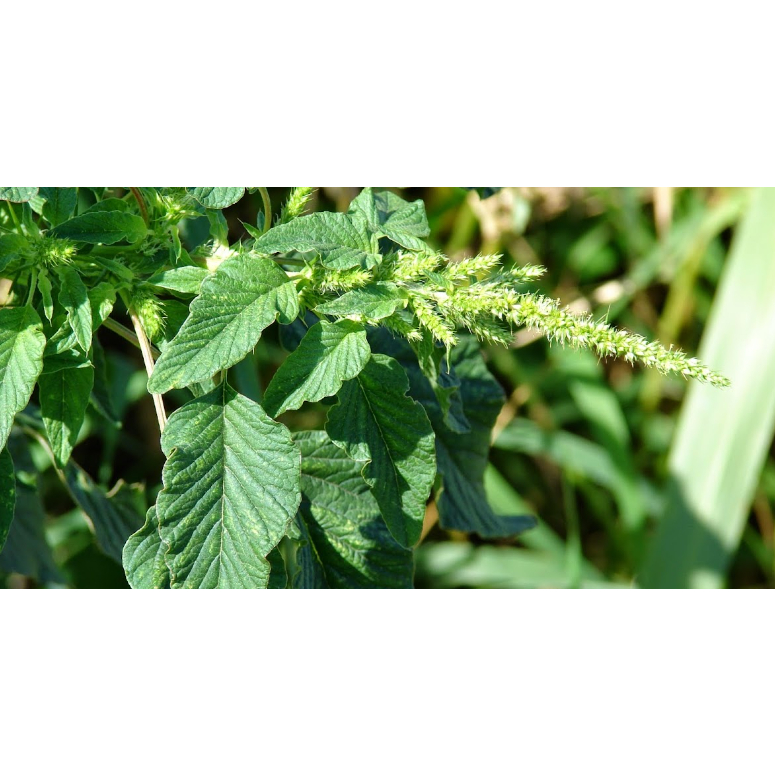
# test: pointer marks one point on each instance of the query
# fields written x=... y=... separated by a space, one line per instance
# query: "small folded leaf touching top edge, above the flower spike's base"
x=387 y=214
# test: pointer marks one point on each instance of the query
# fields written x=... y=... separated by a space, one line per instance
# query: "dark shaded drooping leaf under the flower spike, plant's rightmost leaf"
x=461 y=457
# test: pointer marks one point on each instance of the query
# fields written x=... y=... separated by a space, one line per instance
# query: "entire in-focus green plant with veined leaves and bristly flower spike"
x=382 y=332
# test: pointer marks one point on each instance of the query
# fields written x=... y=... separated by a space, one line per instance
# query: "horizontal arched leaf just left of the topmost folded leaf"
x=340 y=240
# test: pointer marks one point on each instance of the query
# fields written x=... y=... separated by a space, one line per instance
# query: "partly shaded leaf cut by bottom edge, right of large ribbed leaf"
x=347 y=543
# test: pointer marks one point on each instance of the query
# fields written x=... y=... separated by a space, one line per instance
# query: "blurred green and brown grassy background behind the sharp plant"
x=636 y=479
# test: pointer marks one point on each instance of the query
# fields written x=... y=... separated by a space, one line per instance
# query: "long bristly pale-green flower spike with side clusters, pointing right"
x=489 y=300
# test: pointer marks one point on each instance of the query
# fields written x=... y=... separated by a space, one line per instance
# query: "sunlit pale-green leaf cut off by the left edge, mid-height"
x=21 y=361
